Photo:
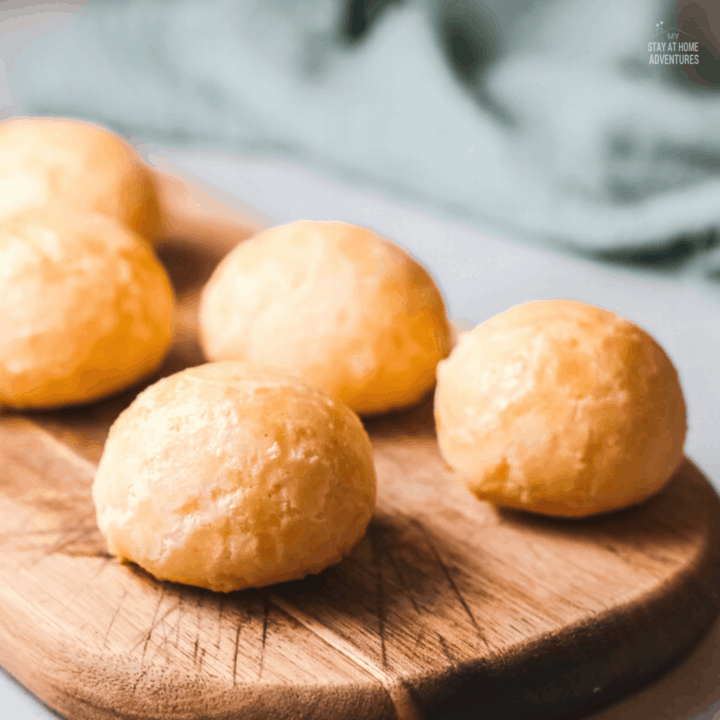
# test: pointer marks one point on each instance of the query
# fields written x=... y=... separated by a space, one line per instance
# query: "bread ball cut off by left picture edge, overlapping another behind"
x=85 y=309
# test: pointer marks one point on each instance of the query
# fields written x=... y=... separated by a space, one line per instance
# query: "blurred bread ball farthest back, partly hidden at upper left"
x=78 y=165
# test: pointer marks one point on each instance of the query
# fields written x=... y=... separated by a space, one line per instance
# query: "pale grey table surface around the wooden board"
x=482 y=274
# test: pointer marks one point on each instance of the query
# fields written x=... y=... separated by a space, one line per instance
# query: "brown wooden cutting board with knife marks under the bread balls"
x=447 y=609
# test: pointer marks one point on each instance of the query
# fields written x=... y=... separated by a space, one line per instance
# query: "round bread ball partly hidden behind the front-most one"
x=335 y=304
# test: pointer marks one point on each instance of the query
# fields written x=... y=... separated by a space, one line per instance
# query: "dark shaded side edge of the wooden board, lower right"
x=537 y=681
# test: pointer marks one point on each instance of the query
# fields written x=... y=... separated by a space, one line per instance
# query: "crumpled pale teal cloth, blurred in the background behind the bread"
x=545 y=118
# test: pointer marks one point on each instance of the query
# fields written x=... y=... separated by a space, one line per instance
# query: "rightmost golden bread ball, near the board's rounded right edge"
x=560 y=408
